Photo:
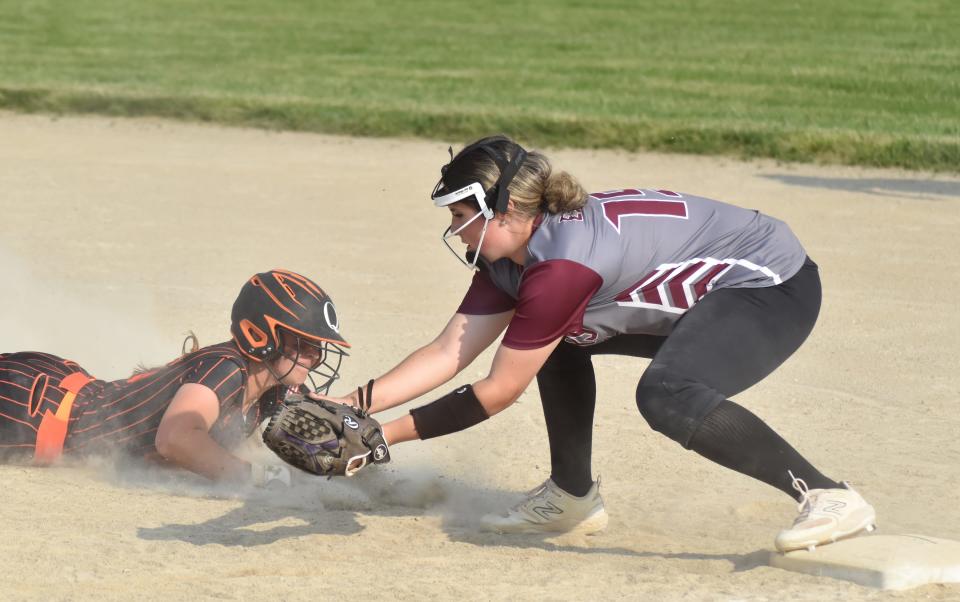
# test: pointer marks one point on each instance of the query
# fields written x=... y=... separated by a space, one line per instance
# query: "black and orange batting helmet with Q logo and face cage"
x=280 y=300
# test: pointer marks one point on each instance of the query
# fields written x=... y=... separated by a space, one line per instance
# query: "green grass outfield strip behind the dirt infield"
x=867 y=82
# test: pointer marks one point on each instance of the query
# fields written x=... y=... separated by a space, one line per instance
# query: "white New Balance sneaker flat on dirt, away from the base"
x=549 y=509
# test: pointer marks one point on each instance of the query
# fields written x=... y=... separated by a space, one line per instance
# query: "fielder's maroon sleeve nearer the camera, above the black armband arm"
x=553 y=296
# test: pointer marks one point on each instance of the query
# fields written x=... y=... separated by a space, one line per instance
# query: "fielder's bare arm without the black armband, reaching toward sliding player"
x=460 y=342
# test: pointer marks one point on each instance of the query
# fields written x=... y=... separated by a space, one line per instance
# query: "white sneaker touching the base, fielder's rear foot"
x=826 y=515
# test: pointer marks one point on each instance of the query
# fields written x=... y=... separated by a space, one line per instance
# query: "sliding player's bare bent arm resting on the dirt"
x=183 y=436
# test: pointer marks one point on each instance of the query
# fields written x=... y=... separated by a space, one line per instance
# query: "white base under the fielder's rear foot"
x=882 y=561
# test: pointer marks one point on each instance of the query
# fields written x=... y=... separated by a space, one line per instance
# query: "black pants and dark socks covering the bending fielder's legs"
x=730 y=340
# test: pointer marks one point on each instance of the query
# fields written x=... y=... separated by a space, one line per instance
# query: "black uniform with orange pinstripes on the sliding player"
x=125 y=414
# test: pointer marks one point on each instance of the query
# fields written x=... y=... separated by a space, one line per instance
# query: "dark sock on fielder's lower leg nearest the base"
x=735 y=437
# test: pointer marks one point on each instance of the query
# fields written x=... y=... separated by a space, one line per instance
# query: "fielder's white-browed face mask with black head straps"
x=499 y=193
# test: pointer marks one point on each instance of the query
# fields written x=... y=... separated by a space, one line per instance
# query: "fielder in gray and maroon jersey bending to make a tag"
x=715 y=295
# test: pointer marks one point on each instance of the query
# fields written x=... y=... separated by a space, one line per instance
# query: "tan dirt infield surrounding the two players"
x=118 y=236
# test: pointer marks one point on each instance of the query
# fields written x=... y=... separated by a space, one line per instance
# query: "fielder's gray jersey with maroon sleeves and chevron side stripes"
x=631 y=261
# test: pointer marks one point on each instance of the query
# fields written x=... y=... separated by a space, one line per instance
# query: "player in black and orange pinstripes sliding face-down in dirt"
x=191 y=411
